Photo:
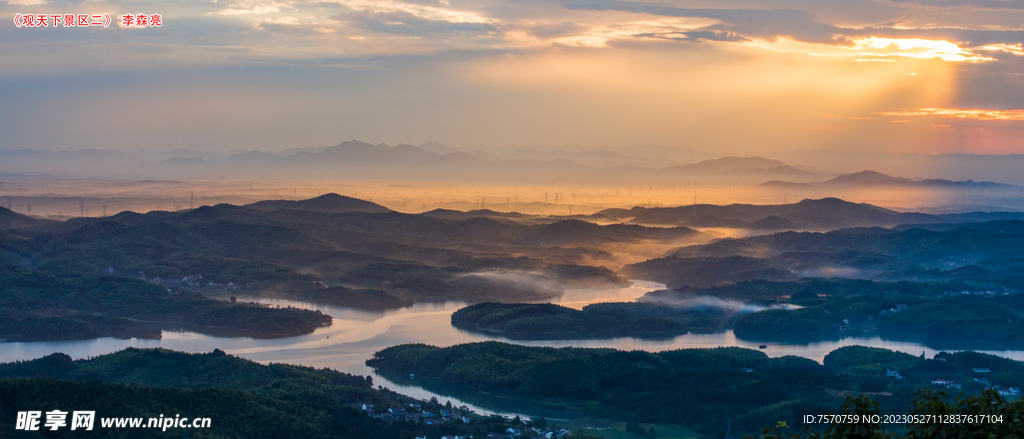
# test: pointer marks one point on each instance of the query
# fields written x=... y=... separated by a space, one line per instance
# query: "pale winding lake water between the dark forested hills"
x=356 y=335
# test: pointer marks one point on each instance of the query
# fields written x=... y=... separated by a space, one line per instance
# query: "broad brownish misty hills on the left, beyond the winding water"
x=296 y=250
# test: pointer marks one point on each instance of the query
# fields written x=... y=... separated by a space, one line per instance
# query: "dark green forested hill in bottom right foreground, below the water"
x=703 y=389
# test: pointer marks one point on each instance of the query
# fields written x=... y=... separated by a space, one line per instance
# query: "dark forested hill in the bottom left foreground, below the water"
x=243 y=400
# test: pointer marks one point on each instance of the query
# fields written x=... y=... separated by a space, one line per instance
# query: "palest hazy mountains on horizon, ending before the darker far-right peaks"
x=356 y=160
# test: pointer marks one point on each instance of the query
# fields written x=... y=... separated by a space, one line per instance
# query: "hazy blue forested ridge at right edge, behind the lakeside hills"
x=985 y=251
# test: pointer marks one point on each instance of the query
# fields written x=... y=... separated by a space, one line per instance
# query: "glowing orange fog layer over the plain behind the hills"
x=63 y=199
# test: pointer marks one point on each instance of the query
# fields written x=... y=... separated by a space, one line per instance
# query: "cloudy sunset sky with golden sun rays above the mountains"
x=740 y=77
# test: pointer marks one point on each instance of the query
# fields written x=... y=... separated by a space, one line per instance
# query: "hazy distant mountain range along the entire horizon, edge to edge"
x=437 y=162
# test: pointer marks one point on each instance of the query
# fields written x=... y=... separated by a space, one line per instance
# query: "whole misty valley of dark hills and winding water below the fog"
x=797 y=308
